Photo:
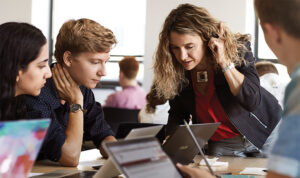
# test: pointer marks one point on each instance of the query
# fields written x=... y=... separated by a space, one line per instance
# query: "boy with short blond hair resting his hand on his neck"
x=82 y=49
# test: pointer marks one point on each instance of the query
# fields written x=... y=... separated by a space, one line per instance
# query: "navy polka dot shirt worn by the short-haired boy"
x=47 y=105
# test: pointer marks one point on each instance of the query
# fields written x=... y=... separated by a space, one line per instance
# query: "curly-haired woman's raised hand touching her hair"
x=218 y=48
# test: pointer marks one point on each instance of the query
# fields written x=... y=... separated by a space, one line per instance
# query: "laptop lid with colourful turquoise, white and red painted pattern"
x=20 y=143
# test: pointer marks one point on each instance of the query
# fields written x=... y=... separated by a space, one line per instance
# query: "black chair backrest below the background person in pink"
x=115 y=116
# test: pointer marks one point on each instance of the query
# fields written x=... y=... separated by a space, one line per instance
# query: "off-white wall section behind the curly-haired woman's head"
x=231 y=12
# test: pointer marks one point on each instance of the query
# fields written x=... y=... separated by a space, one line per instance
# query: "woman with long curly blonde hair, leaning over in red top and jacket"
x=207 y=73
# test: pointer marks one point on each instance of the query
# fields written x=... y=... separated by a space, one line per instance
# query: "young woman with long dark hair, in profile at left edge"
x=23 y=67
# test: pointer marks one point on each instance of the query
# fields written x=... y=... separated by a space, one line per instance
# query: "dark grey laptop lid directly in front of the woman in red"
x=181 y=148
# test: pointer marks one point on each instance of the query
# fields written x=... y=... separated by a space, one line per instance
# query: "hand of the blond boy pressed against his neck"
x=67 y=88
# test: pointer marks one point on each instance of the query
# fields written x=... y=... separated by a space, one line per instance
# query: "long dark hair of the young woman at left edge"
x=20 y=43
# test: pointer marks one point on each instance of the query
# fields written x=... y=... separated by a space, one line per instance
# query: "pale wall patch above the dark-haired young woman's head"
x=15 y=10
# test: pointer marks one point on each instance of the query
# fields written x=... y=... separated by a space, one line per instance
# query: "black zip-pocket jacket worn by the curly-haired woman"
x=254 y=111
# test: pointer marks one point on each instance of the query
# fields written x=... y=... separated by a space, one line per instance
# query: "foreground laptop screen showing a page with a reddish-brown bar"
x=142 y=157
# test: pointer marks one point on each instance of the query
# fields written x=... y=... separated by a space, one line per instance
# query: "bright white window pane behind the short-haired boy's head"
x=125 y=18
